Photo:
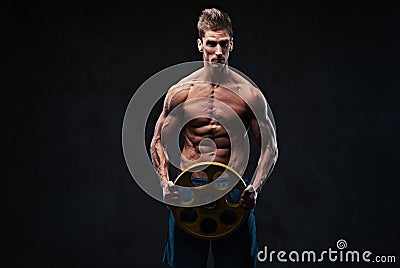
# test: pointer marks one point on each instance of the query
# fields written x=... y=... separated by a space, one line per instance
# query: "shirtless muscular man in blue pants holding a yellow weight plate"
x=204 y=96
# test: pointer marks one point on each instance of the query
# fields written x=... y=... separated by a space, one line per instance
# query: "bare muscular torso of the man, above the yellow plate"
x=219 y=119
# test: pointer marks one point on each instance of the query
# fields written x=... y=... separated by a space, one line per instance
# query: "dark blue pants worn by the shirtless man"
x=239 y=249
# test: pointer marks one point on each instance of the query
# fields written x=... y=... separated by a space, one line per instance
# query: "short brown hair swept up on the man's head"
x=214 y=20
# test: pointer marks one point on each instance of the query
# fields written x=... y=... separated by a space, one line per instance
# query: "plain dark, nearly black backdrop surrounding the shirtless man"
x=330 y=74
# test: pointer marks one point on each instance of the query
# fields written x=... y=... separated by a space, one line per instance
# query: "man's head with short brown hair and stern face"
x=215 y=40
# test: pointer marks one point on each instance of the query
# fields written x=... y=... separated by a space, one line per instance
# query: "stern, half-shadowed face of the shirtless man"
x=215 y=46
